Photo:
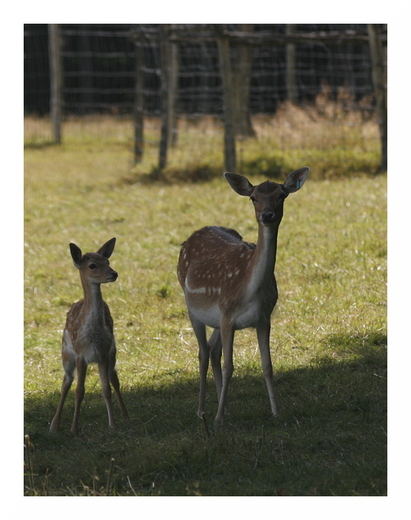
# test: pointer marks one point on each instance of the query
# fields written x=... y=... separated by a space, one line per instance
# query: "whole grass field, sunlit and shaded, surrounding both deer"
x=328 y=337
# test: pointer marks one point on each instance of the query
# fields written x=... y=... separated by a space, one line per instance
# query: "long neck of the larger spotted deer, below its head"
x=264 y=256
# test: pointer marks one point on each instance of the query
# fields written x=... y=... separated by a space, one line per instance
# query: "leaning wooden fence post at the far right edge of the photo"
x=379 y=77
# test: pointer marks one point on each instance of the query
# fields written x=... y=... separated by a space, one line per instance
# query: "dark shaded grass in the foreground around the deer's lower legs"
x=330 y=438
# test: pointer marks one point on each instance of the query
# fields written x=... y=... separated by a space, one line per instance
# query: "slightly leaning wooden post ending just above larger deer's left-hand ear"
x=225 y=68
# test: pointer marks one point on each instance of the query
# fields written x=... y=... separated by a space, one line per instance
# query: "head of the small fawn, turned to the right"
x=95 y=267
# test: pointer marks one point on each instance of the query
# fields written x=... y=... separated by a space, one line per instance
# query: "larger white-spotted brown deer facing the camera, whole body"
x=229 y=284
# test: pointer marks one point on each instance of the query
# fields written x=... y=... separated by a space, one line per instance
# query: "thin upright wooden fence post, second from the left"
x=139 y=105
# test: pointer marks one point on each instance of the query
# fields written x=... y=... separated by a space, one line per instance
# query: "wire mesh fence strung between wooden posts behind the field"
x=115 y=73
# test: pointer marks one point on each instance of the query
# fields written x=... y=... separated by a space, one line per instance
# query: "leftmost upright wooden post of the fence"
x=55 y=82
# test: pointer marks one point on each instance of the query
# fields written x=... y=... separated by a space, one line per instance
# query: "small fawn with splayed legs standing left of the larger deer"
x=88 y=335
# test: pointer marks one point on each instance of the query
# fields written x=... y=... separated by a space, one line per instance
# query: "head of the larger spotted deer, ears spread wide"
x=268 y=197
